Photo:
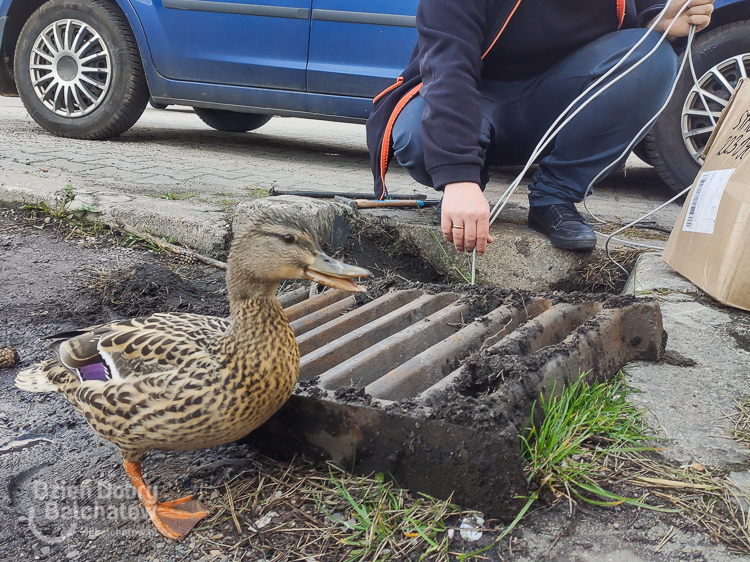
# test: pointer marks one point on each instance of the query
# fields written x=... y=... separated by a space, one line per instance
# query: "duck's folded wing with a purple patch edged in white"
x=139 y=346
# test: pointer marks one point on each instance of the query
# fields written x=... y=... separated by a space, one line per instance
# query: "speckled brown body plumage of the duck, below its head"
x=187 y=381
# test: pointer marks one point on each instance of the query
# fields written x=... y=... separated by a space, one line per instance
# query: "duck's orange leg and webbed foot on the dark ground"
x=172 y=523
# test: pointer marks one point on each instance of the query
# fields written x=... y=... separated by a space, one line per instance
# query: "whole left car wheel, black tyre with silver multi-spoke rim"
x=78 y=70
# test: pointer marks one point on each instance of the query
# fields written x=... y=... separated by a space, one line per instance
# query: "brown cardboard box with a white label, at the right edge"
x=710 y=243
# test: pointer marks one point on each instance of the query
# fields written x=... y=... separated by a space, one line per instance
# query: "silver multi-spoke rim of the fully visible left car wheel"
x=70 y=68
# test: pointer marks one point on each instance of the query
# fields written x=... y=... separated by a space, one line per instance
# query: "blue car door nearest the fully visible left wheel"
x=260 y=43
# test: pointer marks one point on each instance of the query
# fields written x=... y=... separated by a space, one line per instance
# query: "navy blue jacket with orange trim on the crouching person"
x=462 y=42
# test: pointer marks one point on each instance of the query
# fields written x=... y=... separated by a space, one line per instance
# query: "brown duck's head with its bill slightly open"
x=277 y=245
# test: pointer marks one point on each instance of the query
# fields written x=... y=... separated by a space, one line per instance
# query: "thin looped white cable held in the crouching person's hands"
x=554 y=130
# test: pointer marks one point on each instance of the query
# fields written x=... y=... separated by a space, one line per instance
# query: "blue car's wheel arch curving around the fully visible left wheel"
x=19 y=12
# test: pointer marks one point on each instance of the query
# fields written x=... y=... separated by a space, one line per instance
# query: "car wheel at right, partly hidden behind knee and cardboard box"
x=675 y=145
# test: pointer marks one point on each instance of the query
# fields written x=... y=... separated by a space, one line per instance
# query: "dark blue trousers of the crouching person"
x=515 y=115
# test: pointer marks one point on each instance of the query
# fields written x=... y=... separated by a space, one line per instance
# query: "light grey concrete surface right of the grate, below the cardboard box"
x=689 y=403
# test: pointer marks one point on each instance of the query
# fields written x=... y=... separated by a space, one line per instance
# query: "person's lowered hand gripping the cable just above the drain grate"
x=465 y=217
